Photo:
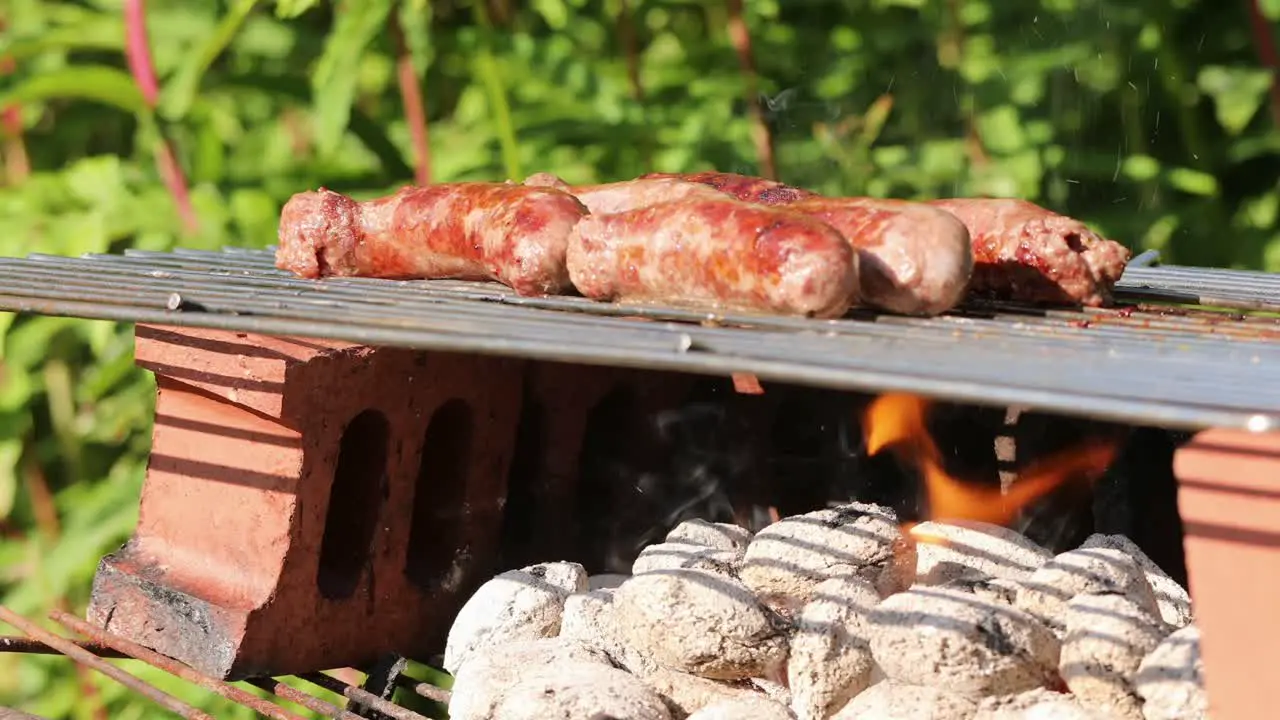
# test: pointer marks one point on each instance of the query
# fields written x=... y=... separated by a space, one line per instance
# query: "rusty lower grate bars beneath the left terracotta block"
x=103 y=645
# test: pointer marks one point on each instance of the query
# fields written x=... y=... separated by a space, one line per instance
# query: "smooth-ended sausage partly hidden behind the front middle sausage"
x=913 y=259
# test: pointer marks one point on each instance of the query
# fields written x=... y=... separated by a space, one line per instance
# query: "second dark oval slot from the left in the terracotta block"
x=440 y=496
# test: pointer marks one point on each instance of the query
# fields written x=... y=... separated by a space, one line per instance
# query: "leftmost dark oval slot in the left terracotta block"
x=355 y=498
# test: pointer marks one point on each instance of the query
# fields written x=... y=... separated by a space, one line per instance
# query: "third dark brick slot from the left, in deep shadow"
x=529 y=457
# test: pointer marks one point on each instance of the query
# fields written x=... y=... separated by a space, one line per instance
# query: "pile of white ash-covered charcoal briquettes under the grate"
x=836 y=614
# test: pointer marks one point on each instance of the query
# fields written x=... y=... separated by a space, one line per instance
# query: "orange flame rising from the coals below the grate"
x=898 y=423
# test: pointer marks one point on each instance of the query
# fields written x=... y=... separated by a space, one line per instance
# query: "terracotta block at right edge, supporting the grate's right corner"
x=1229 y=499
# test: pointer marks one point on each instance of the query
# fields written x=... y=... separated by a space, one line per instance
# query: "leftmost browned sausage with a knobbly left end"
x=508 y=233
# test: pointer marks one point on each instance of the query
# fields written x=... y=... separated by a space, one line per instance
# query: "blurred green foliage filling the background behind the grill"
x=1150 y=120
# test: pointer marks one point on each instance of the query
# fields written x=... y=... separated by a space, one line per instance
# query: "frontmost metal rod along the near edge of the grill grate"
x=1116 y=404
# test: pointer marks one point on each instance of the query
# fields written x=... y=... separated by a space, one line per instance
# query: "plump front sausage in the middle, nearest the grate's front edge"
x=717 y=256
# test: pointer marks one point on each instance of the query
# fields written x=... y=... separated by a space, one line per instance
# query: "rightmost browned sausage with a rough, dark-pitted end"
x=1026 y=253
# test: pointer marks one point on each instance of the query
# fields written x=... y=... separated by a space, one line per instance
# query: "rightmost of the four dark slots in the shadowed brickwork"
x=607 y=464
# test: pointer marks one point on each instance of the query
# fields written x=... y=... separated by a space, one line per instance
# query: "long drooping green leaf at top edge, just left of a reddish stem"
x=337 y=75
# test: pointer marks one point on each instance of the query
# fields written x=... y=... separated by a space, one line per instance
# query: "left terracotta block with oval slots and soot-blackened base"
x=308 y=504
